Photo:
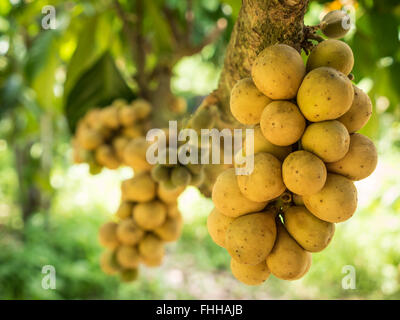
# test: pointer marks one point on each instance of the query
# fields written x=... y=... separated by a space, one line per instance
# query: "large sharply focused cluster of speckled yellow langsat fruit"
x=306 y=147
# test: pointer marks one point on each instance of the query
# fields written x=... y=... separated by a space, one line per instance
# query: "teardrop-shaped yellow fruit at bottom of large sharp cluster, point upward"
x=287 y=260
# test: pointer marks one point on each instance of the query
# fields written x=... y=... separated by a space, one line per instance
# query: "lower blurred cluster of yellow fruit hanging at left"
x=146 y=219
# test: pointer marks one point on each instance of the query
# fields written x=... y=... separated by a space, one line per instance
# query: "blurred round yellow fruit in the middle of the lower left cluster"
x=150 y=215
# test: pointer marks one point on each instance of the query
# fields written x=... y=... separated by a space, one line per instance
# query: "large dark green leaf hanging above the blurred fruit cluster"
x=97 y=87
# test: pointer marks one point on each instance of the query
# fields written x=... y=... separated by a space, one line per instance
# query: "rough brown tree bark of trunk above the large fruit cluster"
x=260 y=23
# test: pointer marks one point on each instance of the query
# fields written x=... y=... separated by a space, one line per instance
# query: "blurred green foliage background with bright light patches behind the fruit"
x=51 y=209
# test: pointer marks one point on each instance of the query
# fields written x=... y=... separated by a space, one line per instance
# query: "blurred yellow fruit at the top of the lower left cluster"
x=140 y=188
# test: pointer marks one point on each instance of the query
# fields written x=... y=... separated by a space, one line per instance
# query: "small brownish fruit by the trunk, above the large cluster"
x=335 y=24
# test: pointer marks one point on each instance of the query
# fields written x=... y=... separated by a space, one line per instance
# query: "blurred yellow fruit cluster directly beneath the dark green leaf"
x=106 y=137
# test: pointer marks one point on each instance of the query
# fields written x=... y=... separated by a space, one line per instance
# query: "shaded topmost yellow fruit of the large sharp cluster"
x=331 y=53
